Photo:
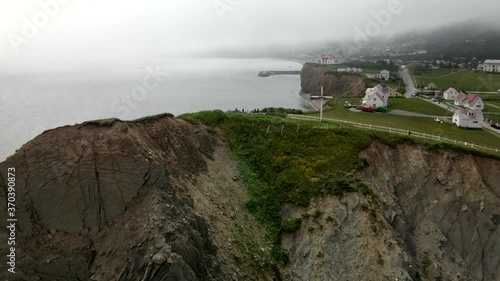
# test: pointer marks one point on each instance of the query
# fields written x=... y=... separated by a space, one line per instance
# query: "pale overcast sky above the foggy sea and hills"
x=117 y=27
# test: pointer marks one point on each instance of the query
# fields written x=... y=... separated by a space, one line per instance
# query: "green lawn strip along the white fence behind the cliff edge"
x=417 y=124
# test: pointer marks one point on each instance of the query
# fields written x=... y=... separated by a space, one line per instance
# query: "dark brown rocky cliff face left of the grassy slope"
x=111 y=200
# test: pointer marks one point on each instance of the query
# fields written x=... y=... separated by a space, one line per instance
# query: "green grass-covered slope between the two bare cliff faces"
x=287 y=161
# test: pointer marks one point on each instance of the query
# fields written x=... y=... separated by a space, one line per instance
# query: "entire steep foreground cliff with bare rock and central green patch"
x=163 y=199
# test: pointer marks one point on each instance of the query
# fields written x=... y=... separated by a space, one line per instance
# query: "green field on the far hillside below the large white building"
x=465 y=80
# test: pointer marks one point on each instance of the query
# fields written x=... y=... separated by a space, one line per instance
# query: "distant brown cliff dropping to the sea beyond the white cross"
x=313 y=76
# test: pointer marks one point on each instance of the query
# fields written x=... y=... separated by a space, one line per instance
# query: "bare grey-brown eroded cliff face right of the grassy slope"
x=437 y=219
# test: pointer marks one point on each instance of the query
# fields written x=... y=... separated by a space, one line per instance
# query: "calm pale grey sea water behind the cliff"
x=36 y=99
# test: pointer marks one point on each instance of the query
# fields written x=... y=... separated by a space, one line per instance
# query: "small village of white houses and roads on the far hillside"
x=467 y=107
